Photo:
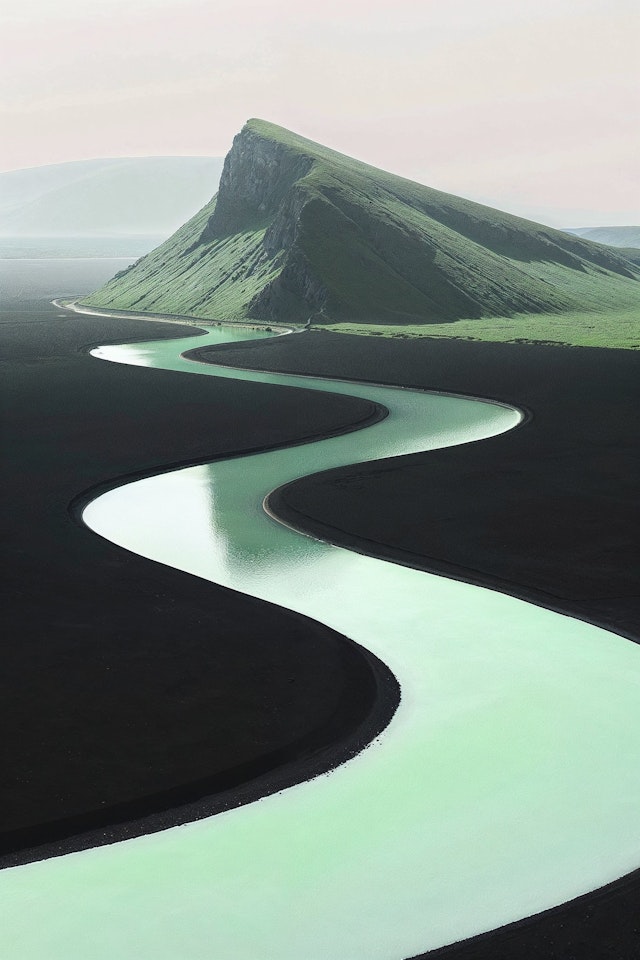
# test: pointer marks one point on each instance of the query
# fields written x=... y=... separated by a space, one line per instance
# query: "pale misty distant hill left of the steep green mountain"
x=106 y=198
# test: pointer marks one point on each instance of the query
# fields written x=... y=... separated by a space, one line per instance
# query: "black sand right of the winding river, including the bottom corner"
x=548 y=512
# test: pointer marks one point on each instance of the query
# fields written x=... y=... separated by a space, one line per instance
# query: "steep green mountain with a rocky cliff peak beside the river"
x=297 y=229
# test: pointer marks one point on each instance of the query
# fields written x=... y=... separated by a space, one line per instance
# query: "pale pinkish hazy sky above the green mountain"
x=530 y=107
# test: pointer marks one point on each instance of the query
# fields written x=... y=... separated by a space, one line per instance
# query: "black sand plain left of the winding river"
x=126 y=687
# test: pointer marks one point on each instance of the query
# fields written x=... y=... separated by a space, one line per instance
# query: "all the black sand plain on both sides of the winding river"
x=110 y=664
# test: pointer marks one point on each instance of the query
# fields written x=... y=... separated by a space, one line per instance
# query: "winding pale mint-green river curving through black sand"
x=507 y=782
